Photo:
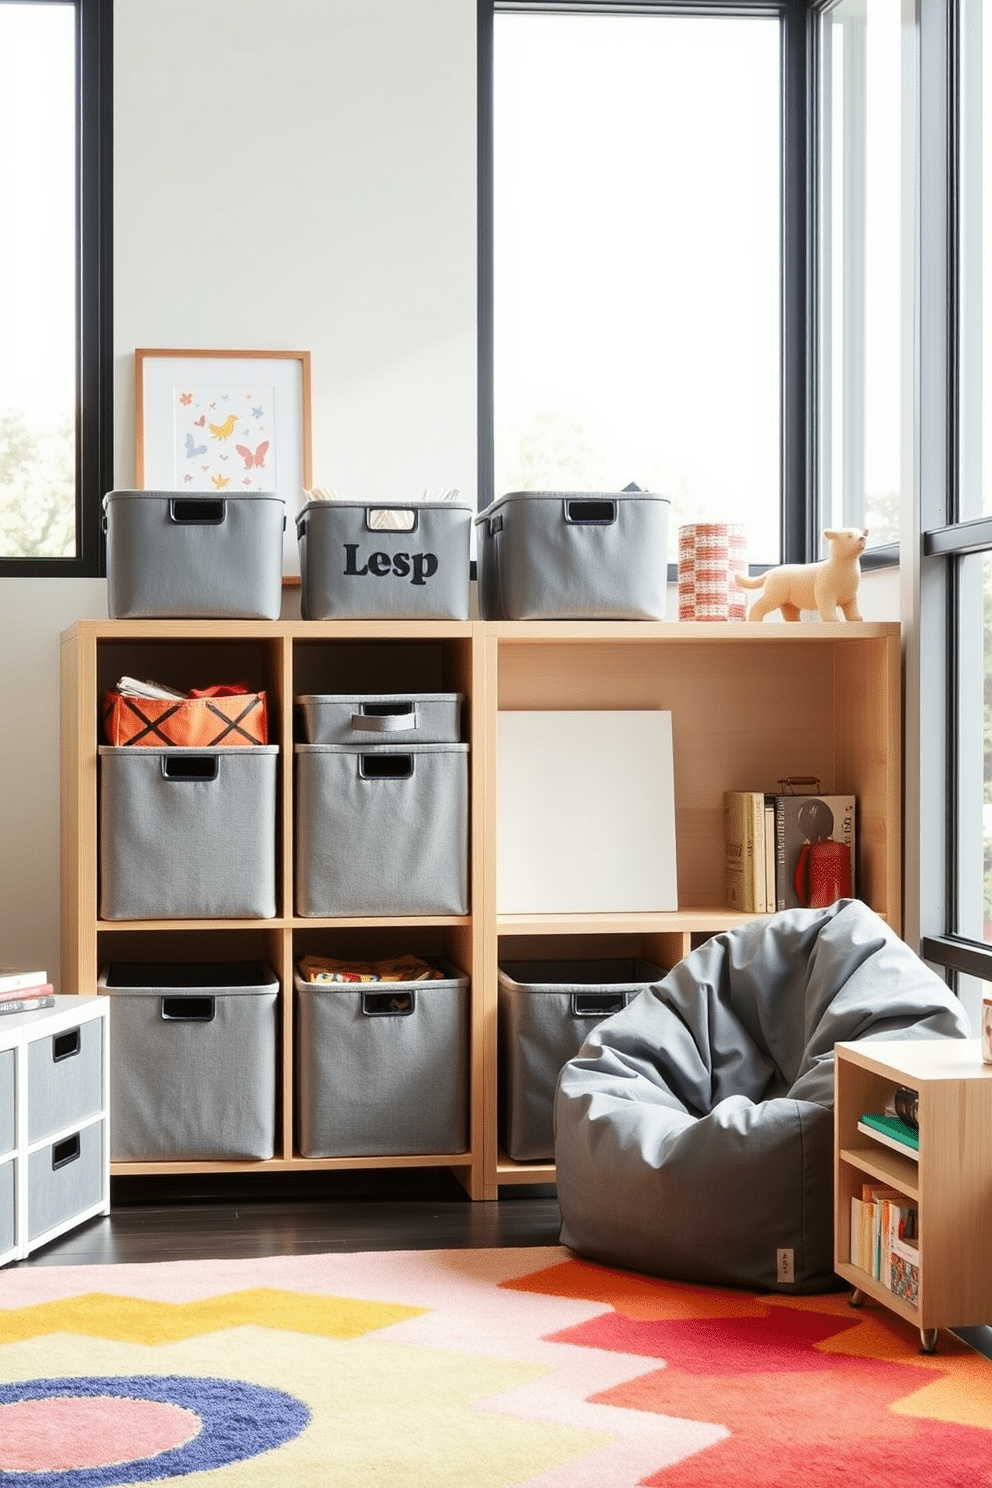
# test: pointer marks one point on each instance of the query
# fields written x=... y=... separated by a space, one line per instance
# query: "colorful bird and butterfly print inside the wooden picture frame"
x=218 y=425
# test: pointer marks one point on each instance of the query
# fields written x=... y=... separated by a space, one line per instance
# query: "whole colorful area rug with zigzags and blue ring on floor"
x=468 y=1370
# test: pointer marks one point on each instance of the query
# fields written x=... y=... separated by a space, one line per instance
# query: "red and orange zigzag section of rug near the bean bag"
x=810 y=1391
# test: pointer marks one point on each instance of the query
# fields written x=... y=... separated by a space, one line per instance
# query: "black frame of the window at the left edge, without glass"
x=94 y=297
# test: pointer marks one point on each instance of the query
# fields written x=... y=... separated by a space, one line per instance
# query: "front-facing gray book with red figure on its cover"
x=816 y=843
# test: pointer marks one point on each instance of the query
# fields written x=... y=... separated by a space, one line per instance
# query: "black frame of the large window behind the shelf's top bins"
x=801 y=510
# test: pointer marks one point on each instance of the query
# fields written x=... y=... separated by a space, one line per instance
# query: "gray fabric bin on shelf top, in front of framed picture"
x=200 y=554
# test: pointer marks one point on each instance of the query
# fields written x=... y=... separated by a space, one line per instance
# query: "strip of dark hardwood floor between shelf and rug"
x=197 y=1219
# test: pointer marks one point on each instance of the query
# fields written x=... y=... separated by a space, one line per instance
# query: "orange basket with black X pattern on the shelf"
x=236 y=719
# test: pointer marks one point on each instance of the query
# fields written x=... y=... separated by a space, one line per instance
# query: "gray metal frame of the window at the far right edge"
x=945 y=539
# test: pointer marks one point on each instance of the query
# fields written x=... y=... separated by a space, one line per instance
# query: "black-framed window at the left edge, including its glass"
x=56 y=283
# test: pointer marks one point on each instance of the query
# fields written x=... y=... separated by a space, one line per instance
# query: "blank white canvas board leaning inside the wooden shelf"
x=585 y=813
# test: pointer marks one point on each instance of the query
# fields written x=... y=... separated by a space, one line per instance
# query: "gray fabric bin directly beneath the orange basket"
x=187 y=834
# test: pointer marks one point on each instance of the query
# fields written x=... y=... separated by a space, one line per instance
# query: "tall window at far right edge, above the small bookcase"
x=956 y=691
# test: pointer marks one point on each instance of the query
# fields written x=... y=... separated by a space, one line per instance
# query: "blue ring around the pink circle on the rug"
x=239 y=1420
